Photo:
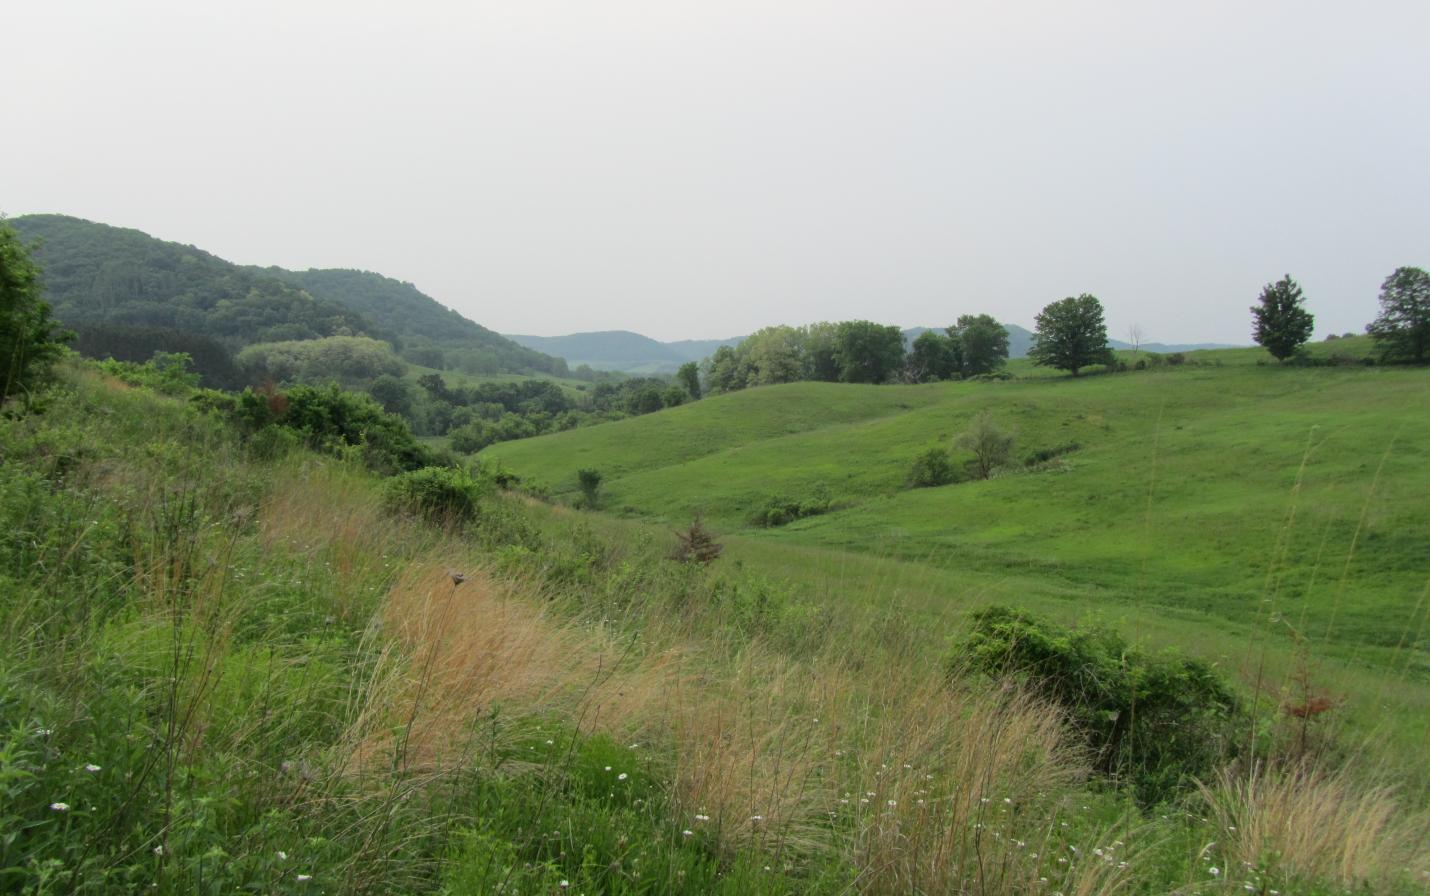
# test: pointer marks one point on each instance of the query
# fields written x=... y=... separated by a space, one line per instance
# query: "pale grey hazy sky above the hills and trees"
x=706 y=169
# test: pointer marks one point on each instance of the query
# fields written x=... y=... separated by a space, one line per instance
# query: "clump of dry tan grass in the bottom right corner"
x=1312 y=822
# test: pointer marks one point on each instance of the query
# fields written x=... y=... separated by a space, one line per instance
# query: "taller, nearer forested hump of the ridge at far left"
x=95 y=274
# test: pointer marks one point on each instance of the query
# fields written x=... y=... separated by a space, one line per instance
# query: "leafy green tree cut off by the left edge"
x=29 y=339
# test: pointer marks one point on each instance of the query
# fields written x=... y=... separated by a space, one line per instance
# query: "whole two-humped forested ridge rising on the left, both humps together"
x=97 y=277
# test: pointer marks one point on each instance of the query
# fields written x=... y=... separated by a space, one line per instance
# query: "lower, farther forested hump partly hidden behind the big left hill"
x=428 y=334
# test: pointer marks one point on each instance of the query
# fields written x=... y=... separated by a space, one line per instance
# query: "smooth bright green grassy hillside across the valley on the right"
x=1186 y=489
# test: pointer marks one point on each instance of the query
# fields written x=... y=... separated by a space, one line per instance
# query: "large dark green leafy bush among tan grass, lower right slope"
x=1156 y=722
